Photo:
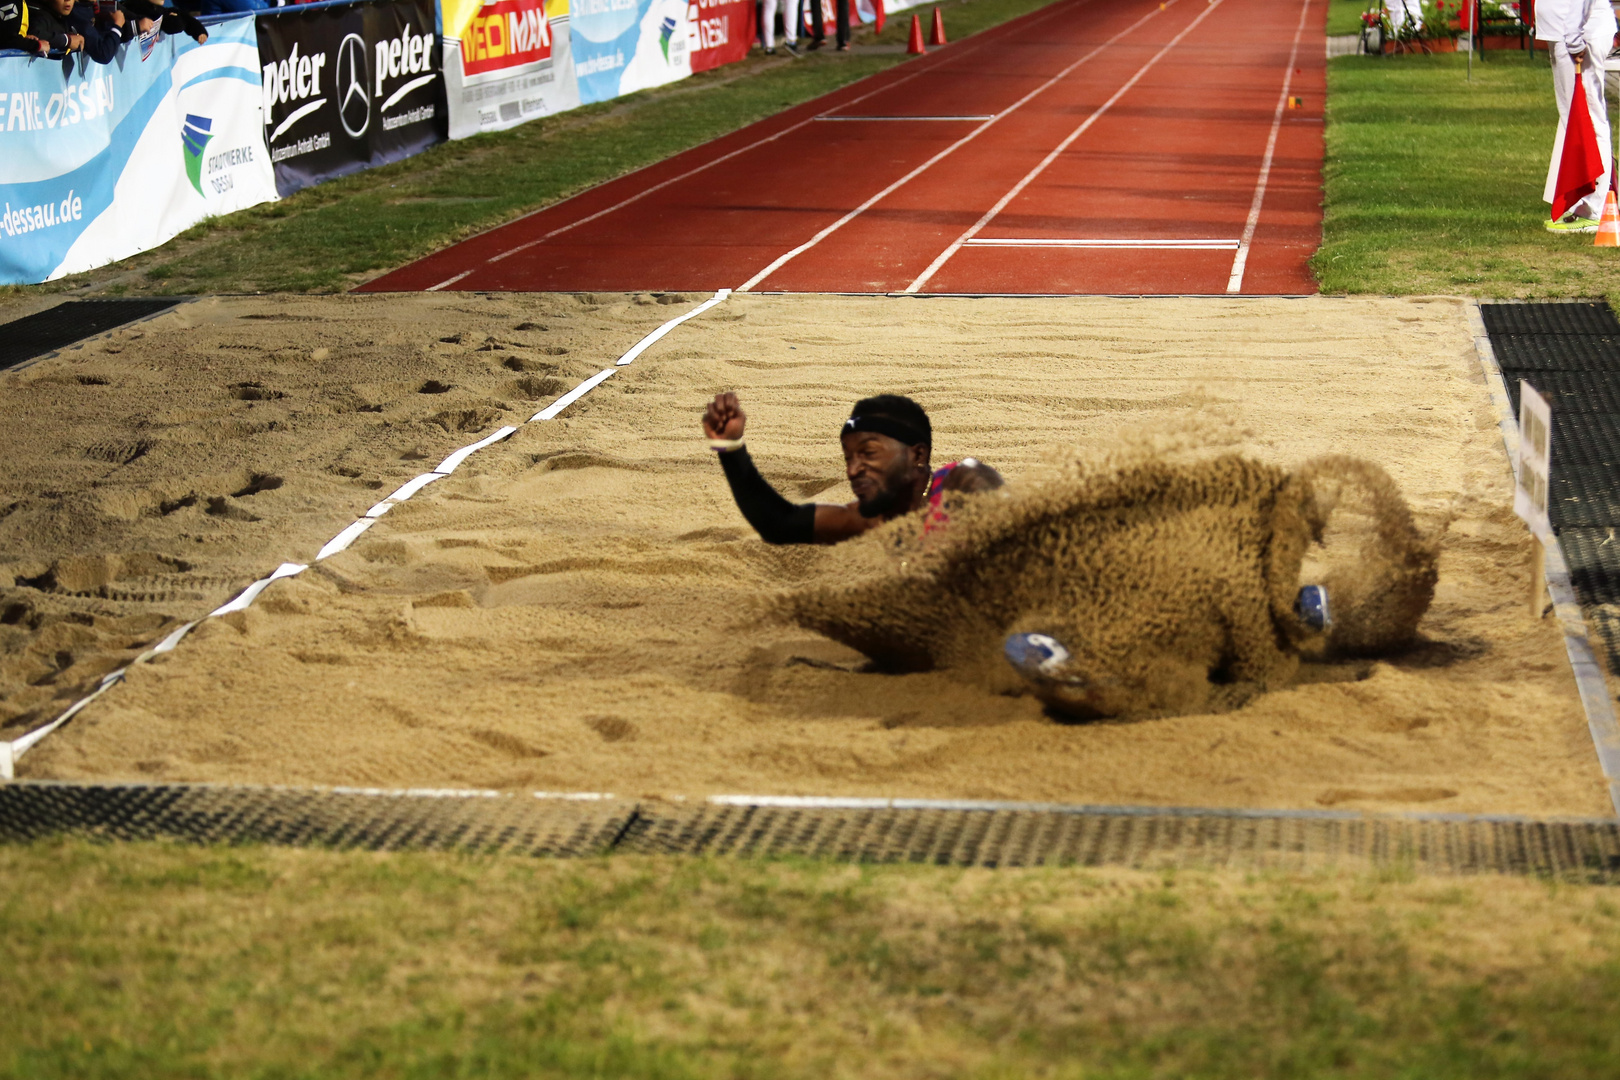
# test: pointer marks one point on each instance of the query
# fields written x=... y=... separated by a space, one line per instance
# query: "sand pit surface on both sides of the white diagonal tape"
x=574 y=611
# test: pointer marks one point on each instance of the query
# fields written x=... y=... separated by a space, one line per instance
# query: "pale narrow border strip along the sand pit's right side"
x=1566 y=605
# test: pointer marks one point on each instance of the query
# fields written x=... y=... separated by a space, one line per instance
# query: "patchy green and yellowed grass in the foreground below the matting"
x=153 y=961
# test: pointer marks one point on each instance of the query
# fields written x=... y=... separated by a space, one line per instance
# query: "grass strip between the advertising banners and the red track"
x=339 y=234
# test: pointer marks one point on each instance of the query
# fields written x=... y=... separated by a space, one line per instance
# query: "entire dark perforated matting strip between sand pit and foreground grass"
x=1038 y=836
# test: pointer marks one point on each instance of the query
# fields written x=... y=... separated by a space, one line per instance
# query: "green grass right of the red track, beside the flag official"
x=1433 y=184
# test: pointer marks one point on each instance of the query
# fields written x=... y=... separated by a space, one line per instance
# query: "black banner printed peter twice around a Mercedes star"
x=349 y=88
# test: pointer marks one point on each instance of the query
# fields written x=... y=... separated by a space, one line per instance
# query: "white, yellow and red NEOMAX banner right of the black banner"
x=514 y=62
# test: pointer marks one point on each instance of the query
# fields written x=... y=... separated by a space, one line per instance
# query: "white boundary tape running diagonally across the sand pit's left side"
x=12 y=750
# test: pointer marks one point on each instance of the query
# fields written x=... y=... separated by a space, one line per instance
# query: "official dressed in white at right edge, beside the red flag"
x=1579 y=30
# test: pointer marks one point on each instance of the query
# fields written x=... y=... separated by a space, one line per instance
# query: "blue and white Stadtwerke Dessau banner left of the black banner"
x=100 y=163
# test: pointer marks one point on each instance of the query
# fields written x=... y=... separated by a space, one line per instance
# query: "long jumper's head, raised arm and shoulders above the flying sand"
x=887 y=446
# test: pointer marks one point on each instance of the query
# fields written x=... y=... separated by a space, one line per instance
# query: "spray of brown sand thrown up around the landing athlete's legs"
x=1172 y=580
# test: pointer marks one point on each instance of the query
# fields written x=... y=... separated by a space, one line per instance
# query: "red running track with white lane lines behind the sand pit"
x=1094 y=147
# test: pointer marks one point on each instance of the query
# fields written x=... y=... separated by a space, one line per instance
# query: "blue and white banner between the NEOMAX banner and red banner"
x=625 y=46
